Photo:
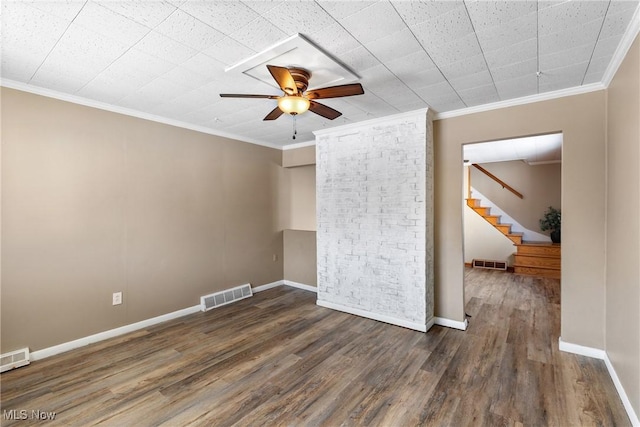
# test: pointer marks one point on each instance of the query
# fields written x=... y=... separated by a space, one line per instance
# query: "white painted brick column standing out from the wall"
x=374 y=189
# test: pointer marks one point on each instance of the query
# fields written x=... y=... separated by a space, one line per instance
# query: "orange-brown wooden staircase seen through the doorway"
x=539 y=259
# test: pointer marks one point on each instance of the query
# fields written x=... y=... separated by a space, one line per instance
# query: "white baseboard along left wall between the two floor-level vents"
x=101 y=336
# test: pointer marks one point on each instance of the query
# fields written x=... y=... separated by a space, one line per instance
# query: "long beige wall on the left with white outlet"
x=95 y=202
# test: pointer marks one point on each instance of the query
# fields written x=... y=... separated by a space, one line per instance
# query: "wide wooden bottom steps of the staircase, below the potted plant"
x=538 y=259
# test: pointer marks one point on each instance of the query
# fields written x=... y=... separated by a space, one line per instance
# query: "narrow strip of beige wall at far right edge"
x=623 y=225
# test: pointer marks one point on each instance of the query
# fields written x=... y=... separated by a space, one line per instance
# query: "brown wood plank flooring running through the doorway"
x=278 y=359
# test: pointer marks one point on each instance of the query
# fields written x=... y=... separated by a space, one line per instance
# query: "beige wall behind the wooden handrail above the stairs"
x=539 y=184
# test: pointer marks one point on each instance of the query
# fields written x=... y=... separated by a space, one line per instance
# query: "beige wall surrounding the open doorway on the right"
x=582 y=120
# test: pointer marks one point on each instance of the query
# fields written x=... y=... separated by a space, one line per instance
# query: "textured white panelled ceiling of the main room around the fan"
x=168 y=58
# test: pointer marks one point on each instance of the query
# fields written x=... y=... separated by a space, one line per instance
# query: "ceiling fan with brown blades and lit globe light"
x=296 y=99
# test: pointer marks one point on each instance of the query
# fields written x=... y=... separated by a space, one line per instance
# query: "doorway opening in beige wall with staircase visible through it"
x=509 y=261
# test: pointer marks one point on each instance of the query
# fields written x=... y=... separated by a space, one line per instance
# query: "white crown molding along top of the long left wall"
x=49 y=93
